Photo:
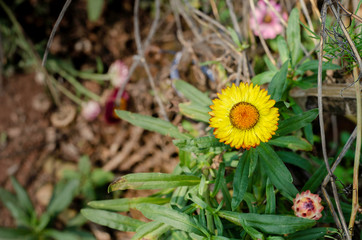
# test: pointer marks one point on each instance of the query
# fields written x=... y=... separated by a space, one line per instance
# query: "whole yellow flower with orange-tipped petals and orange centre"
x=244 y=116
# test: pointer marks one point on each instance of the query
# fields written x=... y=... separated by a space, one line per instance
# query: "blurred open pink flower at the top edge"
x=266 y=20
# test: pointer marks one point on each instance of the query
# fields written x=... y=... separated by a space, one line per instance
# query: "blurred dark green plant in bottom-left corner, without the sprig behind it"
x=29 y=225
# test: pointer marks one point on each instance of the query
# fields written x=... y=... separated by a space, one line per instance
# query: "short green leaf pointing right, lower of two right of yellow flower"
x=291 y=142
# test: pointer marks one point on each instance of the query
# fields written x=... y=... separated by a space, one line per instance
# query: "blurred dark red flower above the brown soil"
x=110 y=115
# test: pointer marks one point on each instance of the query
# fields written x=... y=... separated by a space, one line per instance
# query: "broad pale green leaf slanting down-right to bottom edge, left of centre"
x=171 y=217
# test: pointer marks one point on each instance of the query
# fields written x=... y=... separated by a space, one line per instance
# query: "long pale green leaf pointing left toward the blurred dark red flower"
x=151 y=124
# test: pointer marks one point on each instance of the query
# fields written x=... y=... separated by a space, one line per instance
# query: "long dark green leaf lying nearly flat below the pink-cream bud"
x=268 y=223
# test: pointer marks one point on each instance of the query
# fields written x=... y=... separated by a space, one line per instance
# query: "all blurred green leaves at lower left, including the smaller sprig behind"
x=30 y=226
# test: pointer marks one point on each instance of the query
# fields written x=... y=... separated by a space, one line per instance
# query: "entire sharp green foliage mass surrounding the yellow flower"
x=216 y=192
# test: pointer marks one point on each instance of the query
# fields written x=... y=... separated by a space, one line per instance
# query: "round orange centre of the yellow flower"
x=244 y=116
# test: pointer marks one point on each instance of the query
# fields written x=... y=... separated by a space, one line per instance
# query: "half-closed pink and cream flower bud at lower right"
x=307 y=205
